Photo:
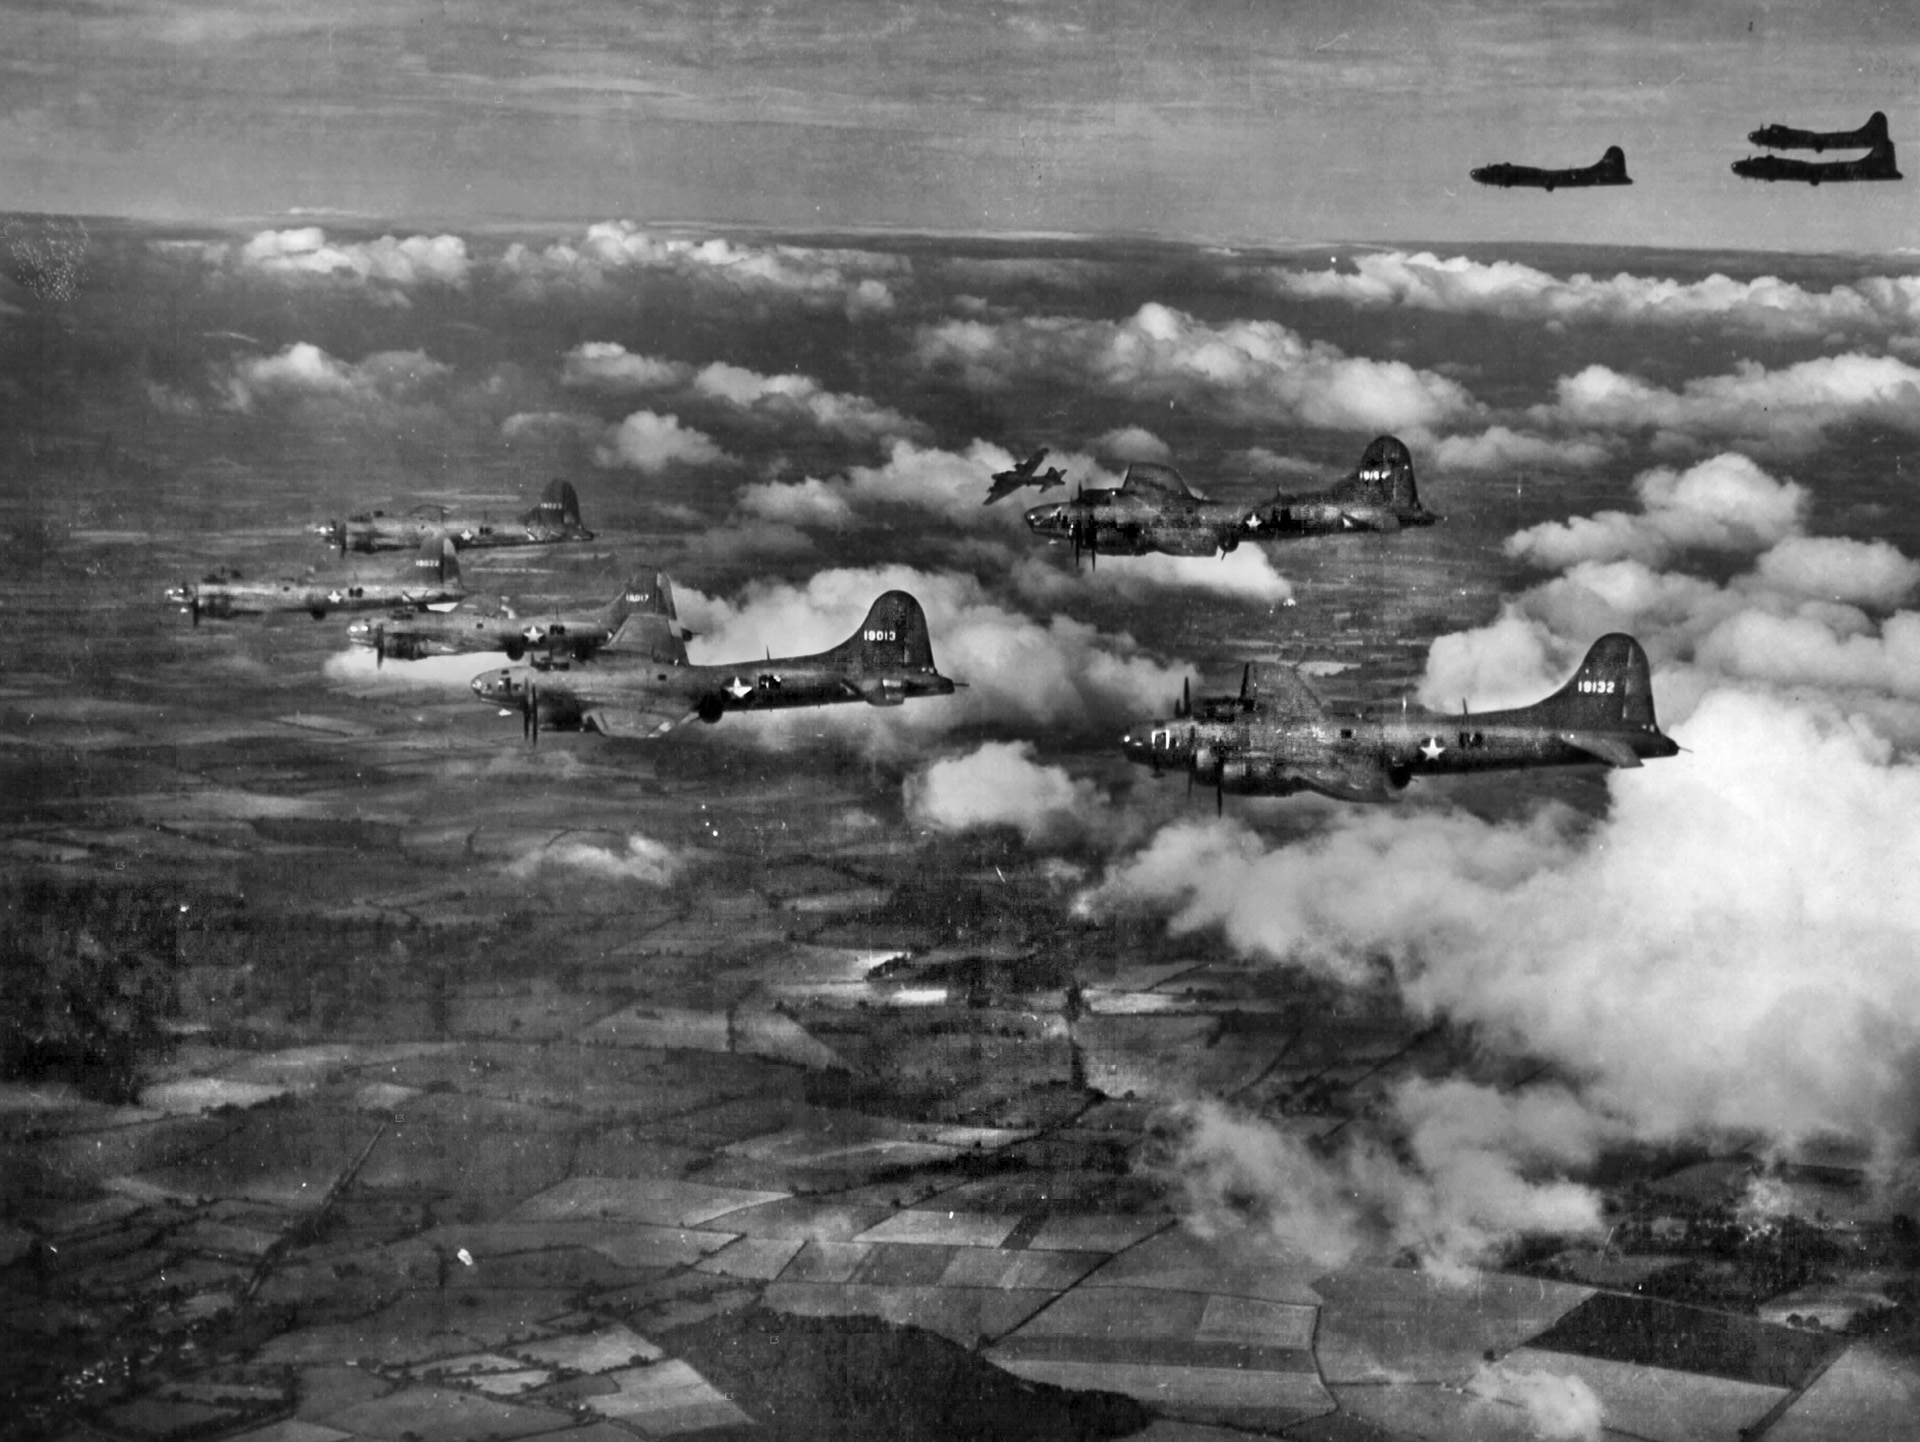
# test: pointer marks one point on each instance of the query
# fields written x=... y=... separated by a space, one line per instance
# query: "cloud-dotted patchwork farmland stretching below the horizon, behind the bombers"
x=934 y=1070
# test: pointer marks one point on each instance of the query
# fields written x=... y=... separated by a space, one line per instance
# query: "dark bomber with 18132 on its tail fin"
x=1278 y=738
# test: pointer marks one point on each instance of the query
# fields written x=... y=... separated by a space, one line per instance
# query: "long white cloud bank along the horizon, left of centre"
x=857 y=283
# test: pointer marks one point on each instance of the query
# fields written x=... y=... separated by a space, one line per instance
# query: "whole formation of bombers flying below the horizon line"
x=623 y=669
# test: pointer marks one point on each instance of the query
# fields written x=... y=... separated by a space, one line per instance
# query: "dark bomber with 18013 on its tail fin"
x=886 y=663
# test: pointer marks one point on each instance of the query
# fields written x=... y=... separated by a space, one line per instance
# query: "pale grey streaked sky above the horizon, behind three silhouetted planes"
x=1228 y=120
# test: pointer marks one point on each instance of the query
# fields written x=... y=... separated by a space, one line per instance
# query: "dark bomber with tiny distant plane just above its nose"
x=1153 y=510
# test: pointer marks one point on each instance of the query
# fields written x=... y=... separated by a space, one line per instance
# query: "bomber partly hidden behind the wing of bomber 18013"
x=636 y=623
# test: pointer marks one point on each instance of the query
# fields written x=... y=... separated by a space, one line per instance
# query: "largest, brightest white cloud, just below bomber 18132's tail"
x=1683 y=982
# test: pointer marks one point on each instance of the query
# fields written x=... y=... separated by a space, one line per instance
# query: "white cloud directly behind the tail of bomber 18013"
x=1049 y=675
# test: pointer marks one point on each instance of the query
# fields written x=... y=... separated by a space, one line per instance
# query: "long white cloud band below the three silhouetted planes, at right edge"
x=1462 y=287
